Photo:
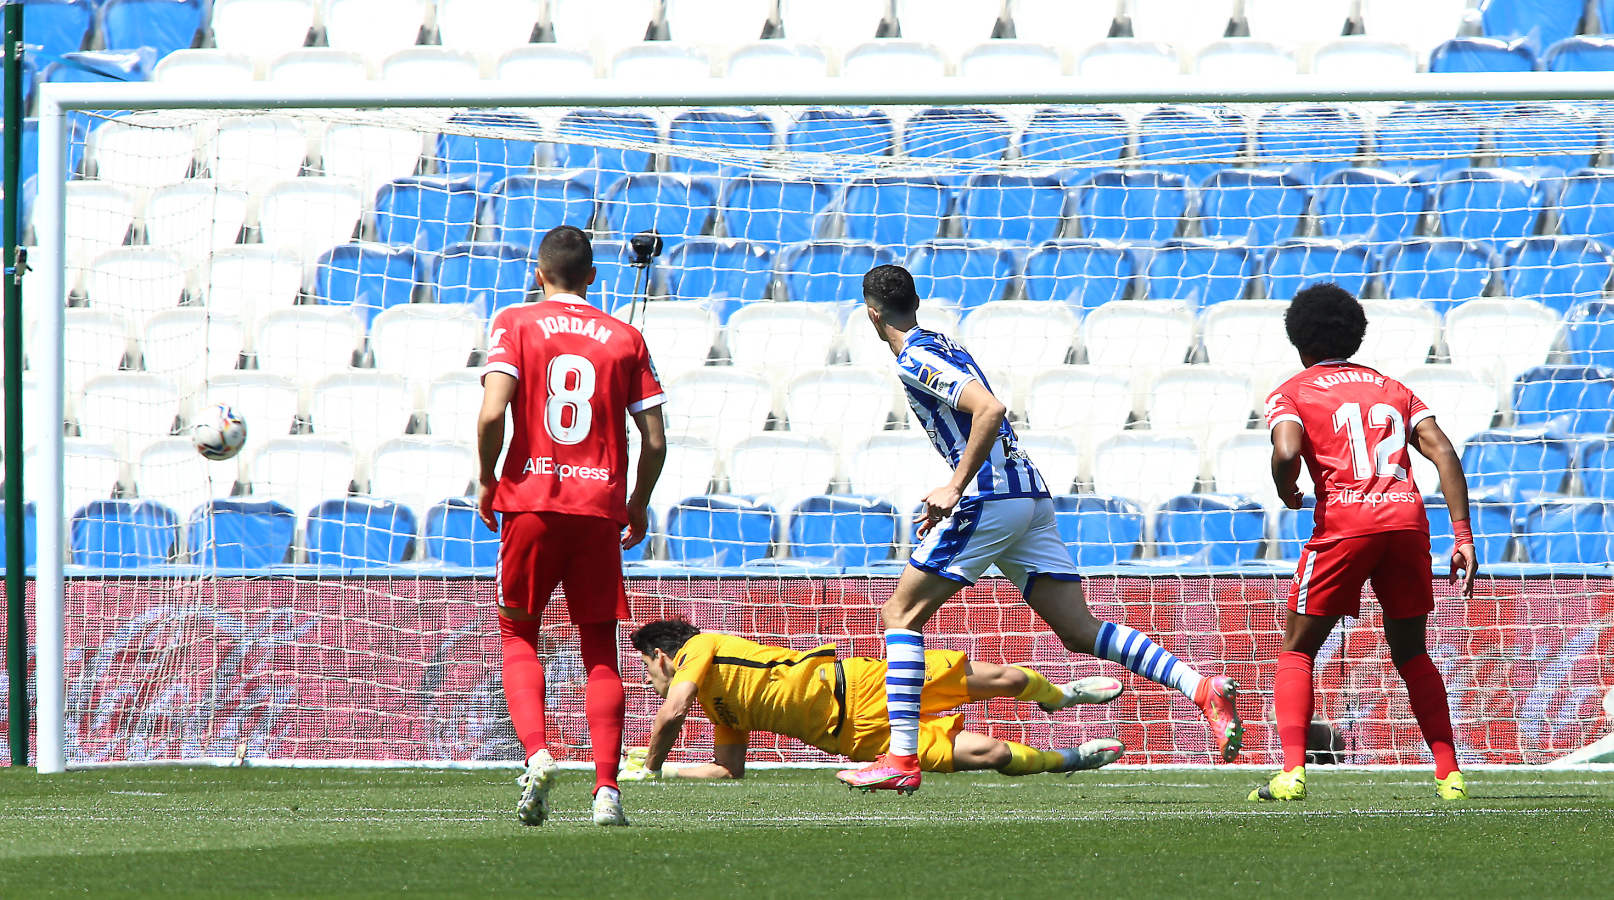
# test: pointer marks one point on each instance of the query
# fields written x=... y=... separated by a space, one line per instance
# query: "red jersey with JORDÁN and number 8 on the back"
x=579 y=373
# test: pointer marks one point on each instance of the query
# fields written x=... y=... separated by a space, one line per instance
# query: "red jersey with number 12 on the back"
x=1358 y=423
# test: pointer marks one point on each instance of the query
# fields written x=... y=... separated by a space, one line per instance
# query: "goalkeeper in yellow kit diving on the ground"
x=840 y=706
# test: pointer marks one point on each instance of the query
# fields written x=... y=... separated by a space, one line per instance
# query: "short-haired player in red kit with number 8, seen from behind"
x=571 y=377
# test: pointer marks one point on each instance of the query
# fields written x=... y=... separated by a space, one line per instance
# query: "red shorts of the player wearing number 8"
x=583 y=554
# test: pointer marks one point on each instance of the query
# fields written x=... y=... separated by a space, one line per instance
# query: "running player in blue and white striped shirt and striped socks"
x=997 y=509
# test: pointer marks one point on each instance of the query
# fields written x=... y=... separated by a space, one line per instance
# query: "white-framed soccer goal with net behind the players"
x=325 y=264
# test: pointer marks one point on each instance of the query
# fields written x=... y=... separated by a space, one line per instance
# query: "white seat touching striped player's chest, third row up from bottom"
x=840 y=406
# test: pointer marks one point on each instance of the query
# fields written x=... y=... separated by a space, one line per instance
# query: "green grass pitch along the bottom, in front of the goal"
x=354 y=833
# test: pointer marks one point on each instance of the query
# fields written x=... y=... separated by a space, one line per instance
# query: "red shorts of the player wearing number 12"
x=1331 y=578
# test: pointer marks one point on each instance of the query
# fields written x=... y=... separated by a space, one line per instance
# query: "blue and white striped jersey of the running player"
x=934 y=370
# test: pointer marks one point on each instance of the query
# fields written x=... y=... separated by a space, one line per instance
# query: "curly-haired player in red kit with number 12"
x=1353 y=427
